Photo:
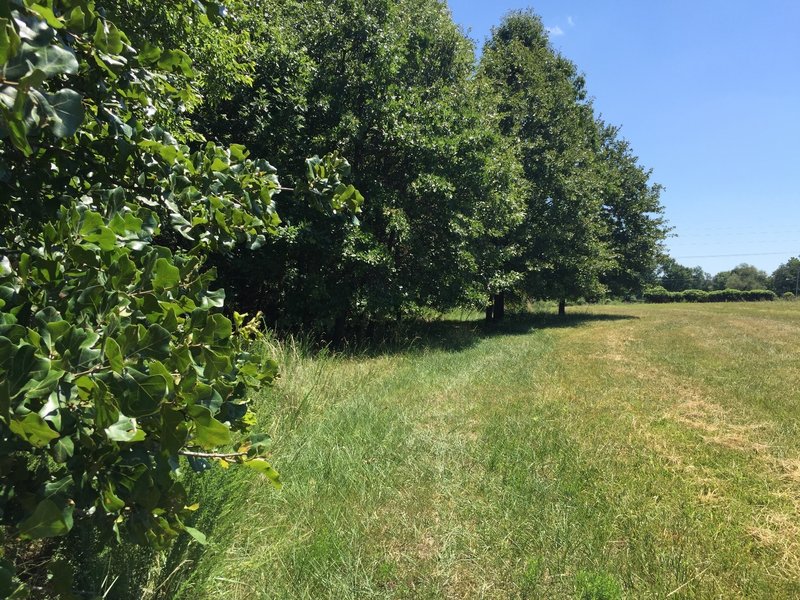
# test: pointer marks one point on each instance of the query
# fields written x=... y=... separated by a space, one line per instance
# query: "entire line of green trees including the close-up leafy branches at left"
x=172 y=171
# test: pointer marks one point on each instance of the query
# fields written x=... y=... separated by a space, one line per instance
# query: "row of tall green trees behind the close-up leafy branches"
x=482 y=180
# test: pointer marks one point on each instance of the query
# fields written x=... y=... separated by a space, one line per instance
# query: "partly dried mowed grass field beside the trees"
x=643 y=451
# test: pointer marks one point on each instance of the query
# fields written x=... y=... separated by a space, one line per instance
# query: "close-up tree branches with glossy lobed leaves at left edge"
x=116 y=360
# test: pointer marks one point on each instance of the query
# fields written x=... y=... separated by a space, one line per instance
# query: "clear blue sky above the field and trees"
x=708 y=93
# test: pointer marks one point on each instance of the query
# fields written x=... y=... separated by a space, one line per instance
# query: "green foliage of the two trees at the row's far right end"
x=584 y=191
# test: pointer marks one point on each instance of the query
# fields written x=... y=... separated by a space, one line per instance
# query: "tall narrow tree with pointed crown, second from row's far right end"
x=543 y=104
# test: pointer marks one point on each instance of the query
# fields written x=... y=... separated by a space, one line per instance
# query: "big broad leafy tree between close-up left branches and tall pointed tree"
x=353 y=76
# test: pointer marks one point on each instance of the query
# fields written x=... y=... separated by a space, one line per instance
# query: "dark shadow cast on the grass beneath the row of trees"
x=453 y=335
